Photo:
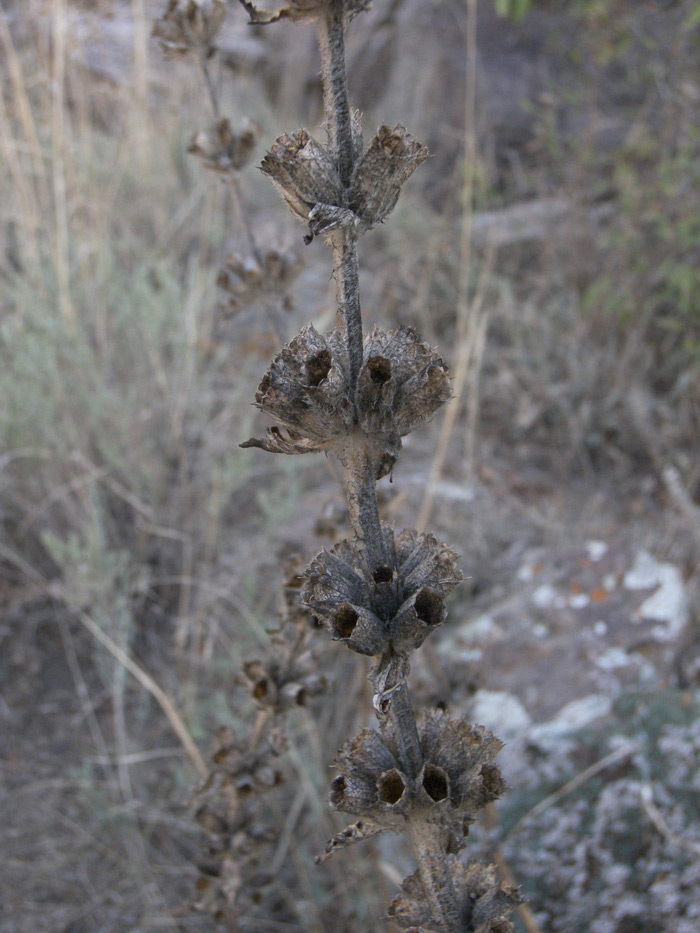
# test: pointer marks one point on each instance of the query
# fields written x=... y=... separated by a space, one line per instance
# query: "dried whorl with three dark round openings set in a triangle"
x=388 y=609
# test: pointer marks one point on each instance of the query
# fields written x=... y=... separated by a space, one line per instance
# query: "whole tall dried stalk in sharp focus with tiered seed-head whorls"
x=380 y=593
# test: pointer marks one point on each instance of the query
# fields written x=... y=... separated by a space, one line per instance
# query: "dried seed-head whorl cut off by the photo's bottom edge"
x=484 y=904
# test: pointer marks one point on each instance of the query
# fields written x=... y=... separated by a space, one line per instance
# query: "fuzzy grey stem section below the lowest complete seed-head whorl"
x=434 y=873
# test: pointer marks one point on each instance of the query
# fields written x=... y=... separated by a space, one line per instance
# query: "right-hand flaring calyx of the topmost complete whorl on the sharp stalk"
x=391 y=158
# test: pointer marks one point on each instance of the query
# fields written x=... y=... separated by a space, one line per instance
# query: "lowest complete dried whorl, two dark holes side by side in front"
x=457 y=780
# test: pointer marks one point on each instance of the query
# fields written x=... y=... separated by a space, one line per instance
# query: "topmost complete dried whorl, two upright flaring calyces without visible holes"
x=306 y=175
